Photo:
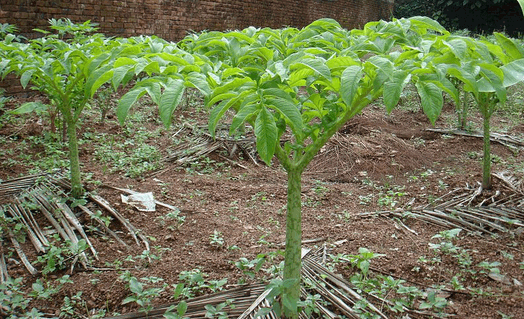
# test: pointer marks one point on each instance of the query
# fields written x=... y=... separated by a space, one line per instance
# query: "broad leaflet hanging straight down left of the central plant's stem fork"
x=266 y=134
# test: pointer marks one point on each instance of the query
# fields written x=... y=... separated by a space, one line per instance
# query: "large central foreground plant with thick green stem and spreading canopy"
x=296 y=89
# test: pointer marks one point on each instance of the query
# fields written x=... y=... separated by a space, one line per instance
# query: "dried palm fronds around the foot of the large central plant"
x=338 y=297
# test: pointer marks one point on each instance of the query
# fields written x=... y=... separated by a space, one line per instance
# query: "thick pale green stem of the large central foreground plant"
x=292 y=262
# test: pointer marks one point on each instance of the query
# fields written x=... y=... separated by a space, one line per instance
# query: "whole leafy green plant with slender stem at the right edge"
x=483 y=69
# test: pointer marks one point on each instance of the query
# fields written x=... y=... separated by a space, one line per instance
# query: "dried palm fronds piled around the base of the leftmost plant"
x=39 y=203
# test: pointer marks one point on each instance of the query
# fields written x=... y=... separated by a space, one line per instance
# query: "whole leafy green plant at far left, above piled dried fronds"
x=66 y=67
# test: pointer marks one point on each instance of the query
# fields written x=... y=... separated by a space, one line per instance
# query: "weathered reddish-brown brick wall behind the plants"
x=171 y=19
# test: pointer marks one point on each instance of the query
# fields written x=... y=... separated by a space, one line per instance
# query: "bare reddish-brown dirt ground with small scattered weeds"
x=234 y=209
